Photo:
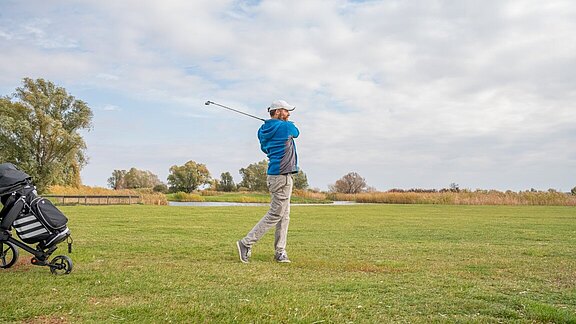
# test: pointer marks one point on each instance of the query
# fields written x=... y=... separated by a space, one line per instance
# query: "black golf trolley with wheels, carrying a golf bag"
x=35 y=220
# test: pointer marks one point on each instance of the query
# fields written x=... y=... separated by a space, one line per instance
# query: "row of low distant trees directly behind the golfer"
x=192 y=175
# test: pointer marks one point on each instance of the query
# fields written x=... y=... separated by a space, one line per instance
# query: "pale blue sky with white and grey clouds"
x=408 y=94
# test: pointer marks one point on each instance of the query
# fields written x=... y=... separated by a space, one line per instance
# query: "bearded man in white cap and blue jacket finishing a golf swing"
x=276 y=137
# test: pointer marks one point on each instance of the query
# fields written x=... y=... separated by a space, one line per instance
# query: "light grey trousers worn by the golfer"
x=278 y=215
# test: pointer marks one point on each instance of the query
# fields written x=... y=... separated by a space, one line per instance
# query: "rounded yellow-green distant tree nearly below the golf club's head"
x=188 y=177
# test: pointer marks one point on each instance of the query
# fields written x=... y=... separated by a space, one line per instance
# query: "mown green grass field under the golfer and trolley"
x=360 y=263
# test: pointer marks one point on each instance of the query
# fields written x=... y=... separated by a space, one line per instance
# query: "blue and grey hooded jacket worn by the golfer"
x=277 y=141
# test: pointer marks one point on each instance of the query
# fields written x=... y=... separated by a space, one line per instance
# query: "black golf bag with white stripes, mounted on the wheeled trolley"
x=35 y=219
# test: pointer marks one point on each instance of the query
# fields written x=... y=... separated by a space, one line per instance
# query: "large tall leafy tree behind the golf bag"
x=39 y=132
